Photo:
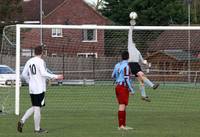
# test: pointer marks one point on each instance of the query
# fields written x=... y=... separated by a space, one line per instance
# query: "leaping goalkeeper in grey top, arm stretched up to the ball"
x=134 y=58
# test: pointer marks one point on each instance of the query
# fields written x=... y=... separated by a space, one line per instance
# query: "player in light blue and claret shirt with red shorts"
x=121 y=74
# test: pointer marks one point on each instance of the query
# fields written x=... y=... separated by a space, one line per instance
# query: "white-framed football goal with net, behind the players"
x=87 y=54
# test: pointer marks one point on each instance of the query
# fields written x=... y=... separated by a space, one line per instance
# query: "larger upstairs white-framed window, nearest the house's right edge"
x=89 y=35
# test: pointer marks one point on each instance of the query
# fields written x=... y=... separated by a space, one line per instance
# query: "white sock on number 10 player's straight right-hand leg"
x=37 y=117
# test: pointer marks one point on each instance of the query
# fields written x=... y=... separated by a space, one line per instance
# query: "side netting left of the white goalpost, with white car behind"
x=7 y=67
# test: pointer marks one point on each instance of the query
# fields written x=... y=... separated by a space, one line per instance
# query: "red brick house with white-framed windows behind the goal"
x=69 y=42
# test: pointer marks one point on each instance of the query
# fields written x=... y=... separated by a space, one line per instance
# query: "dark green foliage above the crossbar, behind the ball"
x=150 y=12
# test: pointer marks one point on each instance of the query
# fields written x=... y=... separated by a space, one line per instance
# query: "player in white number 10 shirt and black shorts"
x=35 y=74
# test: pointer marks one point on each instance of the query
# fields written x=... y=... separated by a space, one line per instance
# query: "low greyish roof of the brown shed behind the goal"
x=178 y=55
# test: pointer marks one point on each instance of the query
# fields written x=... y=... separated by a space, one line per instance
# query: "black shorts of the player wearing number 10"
x=38 y=99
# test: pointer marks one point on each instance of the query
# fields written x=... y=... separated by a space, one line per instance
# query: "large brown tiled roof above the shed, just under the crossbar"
x=176 y=40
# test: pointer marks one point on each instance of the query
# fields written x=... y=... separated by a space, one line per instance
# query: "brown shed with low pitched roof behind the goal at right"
x=172 y=65
